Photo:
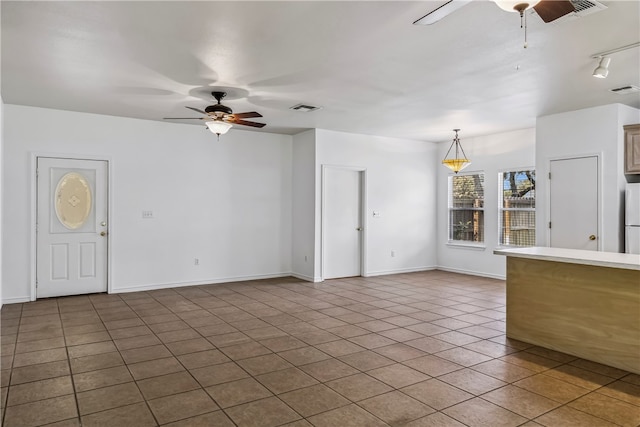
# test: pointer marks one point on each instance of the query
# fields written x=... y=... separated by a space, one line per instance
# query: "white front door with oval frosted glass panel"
x=71 y=227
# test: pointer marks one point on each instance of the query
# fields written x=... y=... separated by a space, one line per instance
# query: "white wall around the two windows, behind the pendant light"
x=490 y=154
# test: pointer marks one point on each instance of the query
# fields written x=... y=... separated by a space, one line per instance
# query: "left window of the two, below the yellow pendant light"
x=466 y=208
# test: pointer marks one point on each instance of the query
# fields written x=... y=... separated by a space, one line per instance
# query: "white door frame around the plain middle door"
x=363 y=215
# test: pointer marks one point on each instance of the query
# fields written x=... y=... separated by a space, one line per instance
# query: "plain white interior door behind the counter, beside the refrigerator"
x=573 y=190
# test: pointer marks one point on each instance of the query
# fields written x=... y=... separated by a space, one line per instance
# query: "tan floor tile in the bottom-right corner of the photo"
x=608 y=408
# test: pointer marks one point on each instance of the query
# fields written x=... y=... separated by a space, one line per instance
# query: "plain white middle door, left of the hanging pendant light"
x=342 y=222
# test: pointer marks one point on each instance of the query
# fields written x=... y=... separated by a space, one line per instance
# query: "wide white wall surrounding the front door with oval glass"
x=227 y=203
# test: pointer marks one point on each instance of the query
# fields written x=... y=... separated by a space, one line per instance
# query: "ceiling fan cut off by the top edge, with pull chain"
x=548 y=10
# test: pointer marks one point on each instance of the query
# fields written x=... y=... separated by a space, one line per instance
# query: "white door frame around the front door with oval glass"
x=34 y=212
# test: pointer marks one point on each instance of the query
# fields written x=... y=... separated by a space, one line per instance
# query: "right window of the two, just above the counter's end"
x=517 y=214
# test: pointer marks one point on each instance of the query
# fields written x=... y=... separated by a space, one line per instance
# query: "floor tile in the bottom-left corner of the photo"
x=41 y=412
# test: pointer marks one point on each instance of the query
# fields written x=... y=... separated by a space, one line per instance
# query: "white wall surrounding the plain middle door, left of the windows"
x=401 y=185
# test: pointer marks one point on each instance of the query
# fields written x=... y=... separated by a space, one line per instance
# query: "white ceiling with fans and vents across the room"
x=363 y=62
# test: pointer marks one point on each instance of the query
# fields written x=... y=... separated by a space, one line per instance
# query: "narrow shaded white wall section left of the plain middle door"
x=304 y=208
